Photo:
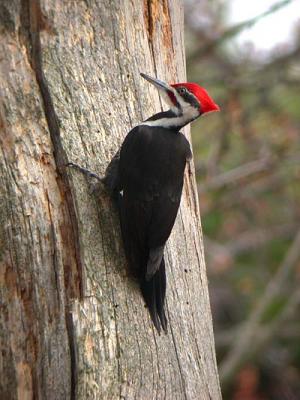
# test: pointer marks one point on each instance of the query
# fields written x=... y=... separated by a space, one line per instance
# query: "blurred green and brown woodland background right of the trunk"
x=247 y=55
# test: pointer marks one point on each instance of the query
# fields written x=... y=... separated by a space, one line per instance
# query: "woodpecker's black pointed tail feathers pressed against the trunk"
x=154 y=293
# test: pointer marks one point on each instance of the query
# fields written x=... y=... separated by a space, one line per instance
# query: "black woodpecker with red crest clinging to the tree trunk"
x=146 y=177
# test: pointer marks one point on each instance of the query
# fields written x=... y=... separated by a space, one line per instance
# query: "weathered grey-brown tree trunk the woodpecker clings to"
x=73 y=323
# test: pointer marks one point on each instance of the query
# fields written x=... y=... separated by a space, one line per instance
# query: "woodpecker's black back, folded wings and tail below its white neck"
x=151 y=171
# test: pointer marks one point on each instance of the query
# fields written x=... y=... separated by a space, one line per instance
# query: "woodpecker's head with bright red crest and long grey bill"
x=188 y=100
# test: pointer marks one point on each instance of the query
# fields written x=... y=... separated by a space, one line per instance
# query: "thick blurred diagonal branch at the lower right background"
x=246 y=340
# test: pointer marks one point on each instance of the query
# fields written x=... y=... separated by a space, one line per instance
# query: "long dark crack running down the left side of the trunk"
x=32 y=22
